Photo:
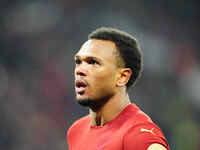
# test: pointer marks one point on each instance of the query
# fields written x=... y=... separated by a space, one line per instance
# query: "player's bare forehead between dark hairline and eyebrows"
x=98 y=48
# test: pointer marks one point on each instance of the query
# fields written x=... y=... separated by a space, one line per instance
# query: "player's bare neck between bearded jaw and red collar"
x=111 y=109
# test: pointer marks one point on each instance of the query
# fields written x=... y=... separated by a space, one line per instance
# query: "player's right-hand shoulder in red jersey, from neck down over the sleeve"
x=141 y=131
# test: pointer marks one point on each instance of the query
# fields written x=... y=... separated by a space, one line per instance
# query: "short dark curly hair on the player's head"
x=127 y=46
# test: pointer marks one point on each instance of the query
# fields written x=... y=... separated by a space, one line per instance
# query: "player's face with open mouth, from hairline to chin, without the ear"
x=96 y=71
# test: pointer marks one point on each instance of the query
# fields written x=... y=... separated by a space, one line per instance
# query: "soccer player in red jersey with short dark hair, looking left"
x=107 y=64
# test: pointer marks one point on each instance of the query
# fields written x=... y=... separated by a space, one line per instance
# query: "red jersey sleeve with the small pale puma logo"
x=142 y=136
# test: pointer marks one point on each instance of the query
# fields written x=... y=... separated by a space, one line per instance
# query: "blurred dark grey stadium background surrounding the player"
x=39 y=39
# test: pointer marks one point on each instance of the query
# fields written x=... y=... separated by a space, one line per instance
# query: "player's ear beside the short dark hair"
x=124 y=76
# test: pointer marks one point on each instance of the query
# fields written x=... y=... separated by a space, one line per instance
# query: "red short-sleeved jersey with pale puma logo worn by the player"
x=132 y=129
